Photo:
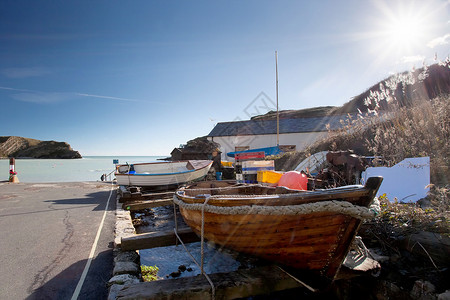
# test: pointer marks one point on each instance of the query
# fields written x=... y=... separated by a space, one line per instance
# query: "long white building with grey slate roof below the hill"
x=294 y=134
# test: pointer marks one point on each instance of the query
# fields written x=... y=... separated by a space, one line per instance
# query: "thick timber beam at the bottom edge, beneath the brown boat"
x=238 y=284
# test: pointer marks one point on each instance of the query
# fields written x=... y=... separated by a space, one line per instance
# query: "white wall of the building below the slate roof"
x=300 y=140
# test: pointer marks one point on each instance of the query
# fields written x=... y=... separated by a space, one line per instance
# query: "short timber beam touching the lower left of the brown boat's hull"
x=157 y=239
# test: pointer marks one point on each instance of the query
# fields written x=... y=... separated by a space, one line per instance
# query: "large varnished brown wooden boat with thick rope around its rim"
x=307 y=230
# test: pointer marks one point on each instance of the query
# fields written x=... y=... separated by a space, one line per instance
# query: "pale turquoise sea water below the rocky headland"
x=88 y=168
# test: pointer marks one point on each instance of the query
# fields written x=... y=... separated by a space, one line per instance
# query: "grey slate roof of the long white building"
x=261 y=127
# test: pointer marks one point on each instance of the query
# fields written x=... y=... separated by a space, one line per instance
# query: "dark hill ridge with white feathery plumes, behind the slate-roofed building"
x=398 y=90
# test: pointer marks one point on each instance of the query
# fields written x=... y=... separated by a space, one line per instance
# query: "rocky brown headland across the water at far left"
x=14 y=146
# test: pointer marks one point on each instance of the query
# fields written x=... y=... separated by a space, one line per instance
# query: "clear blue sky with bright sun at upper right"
x=142 y=77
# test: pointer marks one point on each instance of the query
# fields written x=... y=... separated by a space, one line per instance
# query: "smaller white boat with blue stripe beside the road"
x=162 y=173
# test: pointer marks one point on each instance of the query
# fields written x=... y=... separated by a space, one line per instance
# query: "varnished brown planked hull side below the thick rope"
x=315 y=242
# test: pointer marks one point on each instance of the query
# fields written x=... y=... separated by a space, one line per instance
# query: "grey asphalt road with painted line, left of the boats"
x=47 y=232
